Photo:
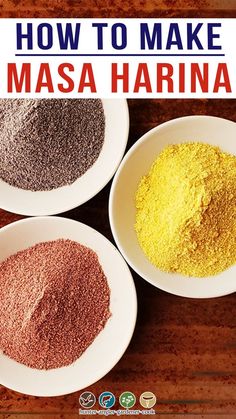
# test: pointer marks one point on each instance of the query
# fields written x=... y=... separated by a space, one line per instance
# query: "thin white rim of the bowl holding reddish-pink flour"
x=112 y=364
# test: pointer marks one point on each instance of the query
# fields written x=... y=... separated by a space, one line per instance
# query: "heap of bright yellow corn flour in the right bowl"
x=186 y=210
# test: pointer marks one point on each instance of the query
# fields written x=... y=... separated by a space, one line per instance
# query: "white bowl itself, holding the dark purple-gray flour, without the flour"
x=63 y=199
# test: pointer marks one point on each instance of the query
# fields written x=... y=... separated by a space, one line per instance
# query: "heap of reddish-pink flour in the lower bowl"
x=54 y=300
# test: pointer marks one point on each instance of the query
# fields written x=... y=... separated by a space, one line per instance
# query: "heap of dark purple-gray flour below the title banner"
x=48 y=143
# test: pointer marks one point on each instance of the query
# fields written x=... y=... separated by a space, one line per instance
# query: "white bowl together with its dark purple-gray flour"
x=56 y=154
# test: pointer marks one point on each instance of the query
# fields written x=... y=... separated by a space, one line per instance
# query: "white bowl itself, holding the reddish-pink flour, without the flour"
x=112 y=341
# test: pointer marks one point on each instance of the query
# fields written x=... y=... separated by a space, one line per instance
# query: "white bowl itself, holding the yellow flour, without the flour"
x=137 y=162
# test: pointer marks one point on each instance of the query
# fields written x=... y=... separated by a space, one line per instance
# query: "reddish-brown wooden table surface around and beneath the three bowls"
x=184 y=350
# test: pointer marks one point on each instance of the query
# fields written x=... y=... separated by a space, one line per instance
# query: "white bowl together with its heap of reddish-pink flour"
x=65 y=319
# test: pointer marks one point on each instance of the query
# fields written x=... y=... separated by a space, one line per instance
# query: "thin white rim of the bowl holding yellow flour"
x=125 y=254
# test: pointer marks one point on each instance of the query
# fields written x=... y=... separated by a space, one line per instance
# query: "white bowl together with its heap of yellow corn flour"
x=172 y=206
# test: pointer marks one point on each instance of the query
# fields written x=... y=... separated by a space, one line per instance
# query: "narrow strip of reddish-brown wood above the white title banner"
x=118 y=8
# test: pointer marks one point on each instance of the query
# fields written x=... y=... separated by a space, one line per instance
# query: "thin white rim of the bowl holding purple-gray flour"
x=68 y=207
